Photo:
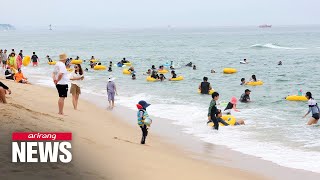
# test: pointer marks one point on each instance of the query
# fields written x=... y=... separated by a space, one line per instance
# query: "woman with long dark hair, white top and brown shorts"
x=76 y=78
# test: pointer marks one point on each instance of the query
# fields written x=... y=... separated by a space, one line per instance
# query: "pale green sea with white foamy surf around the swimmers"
x=274 y=130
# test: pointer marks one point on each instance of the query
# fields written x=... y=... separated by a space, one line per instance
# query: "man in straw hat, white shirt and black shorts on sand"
x=60 y=79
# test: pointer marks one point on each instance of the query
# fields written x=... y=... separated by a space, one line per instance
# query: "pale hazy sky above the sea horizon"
x=158 y=13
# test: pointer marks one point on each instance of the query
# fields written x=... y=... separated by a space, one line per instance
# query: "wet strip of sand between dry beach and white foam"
x=208 y=152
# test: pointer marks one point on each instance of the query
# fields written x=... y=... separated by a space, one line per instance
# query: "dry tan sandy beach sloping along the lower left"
x=104 y=147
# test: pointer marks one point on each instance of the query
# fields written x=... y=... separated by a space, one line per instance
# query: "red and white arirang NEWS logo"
x=41 y=147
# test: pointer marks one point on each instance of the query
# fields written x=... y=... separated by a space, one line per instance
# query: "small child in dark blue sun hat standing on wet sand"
x=143 y=119
